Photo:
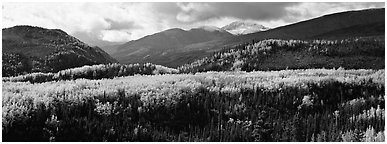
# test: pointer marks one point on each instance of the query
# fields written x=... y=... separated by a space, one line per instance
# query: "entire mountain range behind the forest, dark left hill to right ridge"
x=34 y=49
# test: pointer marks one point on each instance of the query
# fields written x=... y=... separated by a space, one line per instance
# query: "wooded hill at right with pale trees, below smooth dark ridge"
x=272 y=54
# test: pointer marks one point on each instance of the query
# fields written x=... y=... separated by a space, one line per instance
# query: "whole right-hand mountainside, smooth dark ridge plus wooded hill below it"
x=352 y=40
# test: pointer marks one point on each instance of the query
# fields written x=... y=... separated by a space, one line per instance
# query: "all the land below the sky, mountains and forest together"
x=317 y=80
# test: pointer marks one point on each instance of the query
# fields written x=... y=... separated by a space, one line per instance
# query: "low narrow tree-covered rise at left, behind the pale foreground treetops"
x=94 y=72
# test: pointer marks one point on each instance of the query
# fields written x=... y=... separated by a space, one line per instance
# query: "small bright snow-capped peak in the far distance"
x=244 y=27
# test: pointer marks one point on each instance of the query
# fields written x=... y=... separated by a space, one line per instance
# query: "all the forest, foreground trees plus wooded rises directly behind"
x=264 y=91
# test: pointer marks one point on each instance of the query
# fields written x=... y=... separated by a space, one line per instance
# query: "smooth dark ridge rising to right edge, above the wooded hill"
x=308 y=29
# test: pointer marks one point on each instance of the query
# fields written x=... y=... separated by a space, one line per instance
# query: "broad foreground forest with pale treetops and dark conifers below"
x=288 y=105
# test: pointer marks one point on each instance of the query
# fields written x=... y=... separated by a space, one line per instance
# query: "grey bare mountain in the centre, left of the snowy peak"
x=172 y=47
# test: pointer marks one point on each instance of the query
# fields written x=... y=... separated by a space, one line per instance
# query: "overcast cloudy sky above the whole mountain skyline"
x=99 y=23
